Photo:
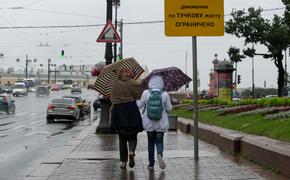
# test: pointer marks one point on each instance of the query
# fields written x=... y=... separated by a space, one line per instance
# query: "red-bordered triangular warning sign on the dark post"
x=109 y=34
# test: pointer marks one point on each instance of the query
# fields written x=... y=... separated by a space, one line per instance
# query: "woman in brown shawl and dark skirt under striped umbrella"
x=125 y=115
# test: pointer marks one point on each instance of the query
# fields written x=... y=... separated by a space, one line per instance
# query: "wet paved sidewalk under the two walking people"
x=95 y=156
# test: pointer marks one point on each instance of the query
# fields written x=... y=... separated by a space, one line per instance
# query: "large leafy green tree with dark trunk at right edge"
x=275 y=35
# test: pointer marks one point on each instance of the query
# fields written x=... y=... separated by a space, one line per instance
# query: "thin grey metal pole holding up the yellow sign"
x=195 y=96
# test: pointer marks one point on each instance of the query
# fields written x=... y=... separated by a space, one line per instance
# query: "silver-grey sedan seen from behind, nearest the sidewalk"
x=62 y=108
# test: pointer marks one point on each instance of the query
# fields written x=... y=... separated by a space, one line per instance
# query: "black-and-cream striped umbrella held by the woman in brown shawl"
x=105 y=81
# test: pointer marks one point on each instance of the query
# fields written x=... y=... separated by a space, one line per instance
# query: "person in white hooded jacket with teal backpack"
x=154 y=126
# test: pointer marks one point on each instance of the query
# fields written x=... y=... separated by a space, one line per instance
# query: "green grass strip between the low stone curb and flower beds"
x=252 y=124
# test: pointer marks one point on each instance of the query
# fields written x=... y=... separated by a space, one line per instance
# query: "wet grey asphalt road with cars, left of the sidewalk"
x=26 y=139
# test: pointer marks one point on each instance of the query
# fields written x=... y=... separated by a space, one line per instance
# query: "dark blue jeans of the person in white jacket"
x=155 y=138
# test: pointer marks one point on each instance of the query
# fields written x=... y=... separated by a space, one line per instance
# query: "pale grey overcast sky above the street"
x=146 y=42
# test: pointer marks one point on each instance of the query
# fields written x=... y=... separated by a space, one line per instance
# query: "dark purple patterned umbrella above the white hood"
x=173 y=78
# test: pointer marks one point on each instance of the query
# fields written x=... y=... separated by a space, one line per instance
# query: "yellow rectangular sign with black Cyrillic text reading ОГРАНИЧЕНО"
x=194 y=17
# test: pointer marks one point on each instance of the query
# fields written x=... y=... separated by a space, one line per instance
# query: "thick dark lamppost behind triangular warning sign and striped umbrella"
x=104 y=124
